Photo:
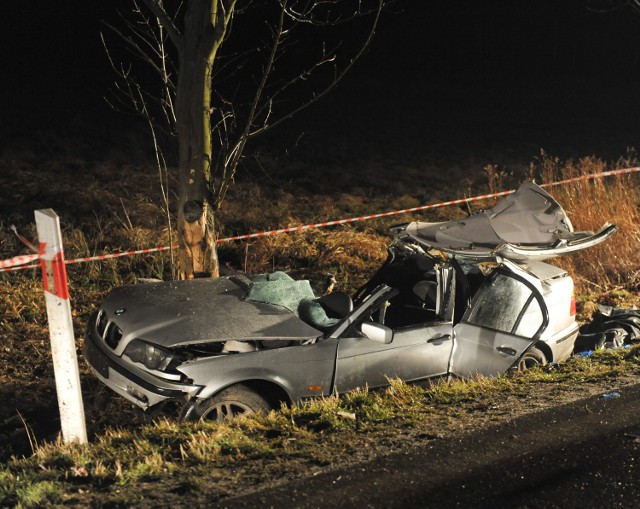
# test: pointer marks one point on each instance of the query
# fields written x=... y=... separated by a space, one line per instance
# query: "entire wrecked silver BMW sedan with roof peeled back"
x=460 y=298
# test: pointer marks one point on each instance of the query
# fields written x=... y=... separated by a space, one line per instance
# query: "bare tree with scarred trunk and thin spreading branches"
x=197 y=29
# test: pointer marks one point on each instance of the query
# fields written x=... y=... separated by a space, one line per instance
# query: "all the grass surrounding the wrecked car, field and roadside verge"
x=113 y=201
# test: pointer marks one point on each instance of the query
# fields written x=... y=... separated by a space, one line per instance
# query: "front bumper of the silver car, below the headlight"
x=141 y=388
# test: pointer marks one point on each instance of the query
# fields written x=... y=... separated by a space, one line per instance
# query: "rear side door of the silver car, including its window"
x=505 y=318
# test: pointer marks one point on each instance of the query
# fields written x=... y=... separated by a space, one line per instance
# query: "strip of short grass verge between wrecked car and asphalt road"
x=168 y=463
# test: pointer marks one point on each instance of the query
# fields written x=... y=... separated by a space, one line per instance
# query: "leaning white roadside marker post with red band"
x=63 y=345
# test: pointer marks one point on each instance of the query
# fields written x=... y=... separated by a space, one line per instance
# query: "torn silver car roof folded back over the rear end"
x=526 y=225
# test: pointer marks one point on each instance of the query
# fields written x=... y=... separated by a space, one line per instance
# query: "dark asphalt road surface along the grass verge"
x=585 y=454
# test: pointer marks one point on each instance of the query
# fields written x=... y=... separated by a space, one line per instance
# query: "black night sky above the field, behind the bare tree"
x=525 y=68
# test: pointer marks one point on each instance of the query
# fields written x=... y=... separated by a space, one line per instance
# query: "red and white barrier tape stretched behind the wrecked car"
x=18 y=262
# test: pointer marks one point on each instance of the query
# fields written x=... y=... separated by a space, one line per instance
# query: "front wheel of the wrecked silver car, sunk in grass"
x=230 y=403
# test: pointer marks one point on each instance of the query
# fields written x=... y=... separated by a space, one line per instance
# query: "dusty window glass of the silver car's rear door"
x=500 y=305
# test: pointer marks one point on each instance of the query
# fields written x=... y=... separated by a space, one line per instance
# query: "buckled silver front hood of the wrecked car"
x=199 y=311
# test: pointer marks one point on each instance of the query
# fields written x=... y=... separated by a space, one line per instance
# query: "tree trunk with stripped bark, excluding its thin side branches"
x=205 y=26
